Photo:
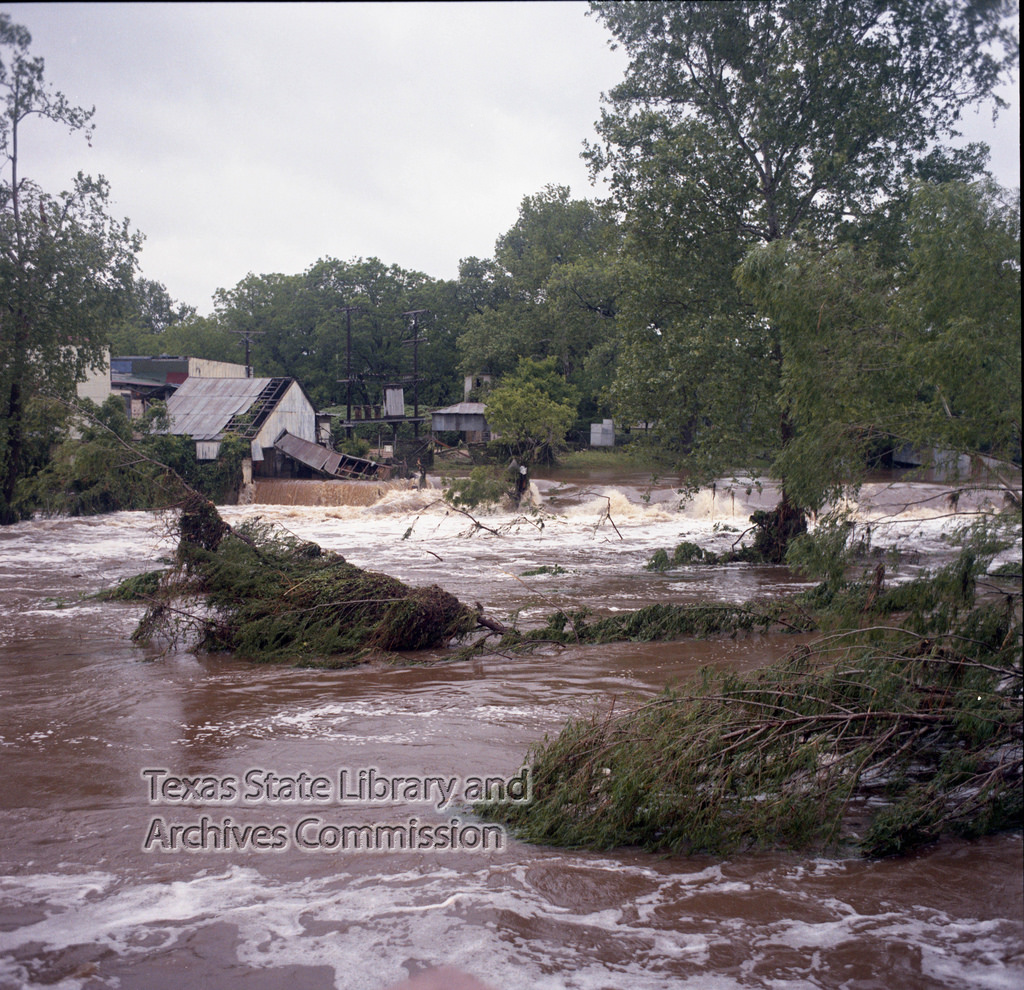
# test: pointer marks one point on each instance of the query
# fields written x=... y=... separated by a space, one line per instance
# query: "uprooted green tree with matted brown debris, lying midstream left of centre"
x=269 y=596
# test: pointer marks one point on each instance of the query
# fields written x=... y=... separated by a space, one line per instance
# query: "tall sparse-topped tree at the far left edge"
x=65 y=263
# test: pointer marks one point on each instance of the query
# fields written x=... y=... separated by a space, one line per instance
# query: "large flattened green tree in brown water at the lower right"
x=887 y=734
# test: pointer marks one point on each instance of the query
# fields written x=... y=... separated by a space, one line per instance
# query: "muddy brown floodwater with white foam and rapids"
x=172 y=820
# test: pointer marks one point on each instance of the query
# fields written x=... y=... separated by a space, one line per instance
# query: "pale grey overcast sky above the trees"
x=261 y=138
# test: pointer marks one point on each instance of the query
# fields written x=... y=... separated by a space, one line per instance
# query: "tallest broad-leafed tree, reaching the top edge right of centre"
x=746 y=123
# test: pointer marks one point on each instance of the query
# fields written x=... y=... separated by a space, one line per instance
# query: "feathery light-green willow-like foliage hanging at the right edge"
x=925 y=351
